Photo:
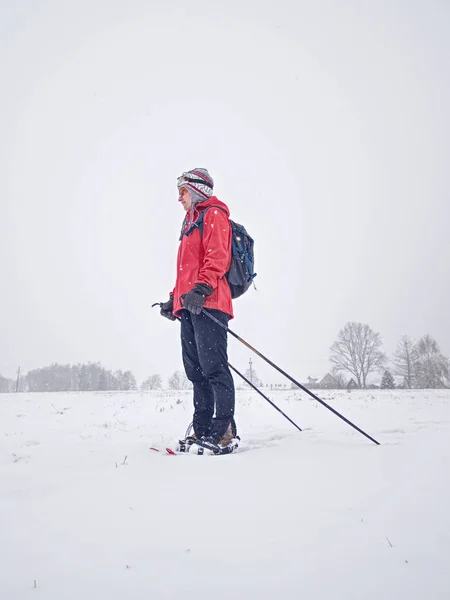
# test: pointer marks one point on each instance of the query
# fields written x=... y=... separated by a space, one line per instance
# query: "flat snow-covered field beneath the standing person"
x=88 y=511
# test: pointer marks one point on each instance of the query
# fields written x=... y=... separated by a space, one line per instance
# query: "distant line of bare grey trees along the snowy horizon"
x=356 y=359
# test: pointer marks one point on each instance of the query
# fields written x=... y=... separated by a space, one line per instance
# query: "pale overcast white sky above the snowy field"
x=325 y=126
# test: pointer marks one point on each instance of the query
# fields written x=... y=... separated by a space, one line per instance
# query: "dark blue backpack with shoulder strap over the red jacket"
x=241 y=274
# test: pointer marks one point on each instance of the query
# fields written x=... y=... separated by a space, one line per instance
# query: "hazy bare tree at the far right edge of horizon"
x=433 y=366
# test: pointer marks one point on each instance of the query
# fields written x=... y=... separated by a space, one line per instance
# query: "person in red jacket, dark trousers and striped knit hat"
x=204 y=257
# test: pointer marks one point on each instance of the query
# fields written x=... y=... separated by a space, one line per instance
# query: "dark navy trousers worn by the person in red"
x=204 y=350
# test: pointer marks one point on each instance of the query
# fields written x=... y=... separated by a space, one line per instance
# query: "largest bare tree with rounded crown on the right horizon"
x=357 y=351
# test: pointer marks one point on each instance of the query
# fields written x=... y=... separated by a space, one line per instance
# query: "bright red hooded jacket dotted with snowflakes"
x=206 y=258
